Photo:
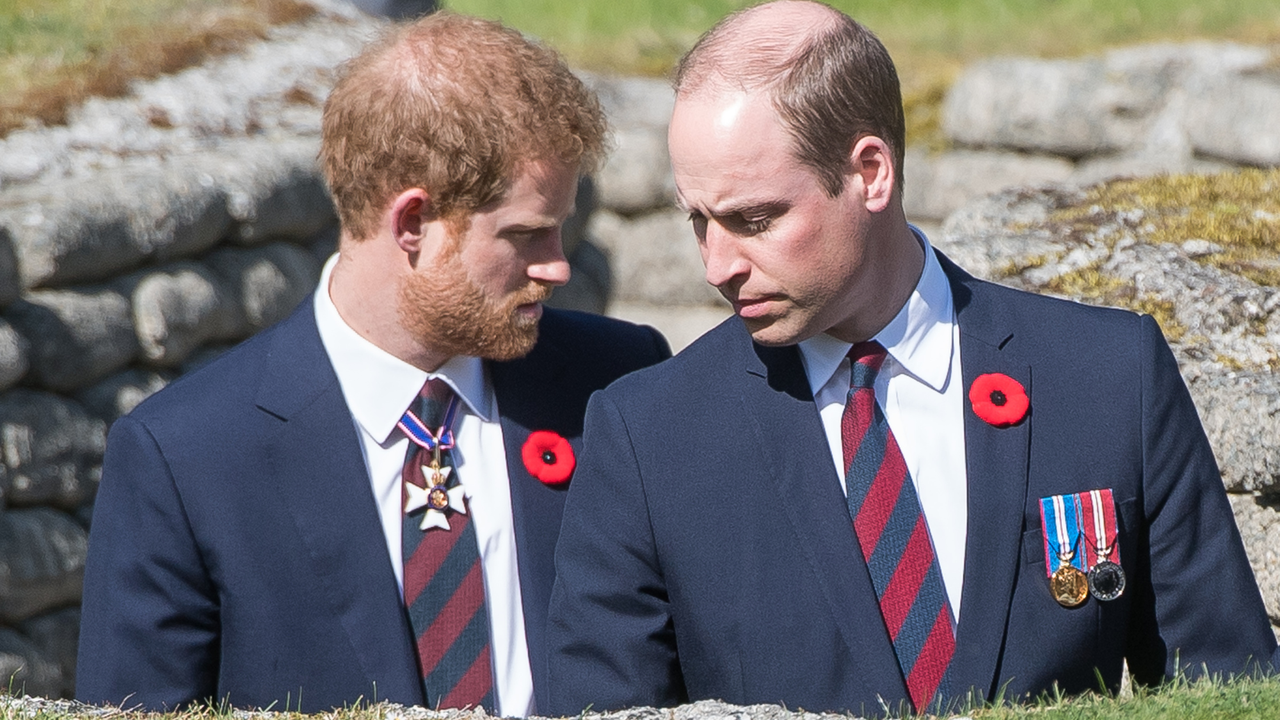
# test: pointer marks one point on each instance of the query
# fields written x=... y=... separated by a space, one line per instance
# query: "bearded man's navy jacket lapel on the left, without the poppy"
x=323 y=482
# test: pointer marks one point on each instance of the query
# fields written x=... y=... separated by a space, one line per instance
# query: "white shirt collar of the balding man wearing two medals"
x=920 y=338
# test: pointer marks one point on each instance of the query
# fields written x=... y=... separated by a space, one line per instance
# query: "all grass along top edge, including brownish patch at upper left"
x=49 y=48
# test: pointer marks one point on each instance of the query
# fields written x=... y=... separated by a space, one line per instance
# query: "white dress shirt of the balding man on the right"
x=921 y=391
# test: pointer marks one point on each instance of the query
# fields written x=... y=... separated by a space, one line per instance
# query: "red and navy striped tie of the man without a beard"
x=894 y=539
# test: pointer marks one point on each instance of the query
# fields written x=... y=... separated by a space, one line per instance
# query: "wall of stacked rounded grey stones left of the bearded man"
x=136 y=243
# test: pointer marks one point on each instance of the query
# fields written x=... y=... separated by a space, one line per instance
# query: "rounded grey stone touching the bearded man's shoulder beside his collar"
x=268 y=281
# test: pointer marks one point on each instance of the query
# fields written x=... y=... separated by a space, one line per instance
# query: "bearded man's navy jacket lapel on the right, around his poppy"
x=532 y=397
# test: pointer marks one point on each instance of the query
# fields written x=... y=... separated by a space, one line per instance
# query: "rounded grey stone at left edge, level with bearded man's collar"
x=77 y=336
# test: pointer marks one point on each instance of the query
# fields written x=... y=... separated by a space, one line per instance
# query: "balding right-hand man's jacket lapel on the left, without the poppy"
x=789 y=431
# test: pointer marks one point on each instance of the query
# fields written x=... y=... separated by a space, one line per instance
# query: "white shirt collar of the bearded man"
x=377 y=385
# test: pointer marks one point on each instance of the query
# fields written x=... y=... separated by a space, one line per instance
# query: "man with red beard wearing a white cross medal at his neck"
x=363 y=503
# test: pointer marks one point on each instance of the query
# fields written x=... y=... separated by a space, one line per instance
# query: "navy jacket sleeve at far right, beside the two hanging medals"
x=1203 y=610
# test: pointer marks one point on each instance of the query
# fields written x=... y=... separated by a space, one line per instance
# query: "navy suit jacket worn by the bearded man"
x=236 y=550
